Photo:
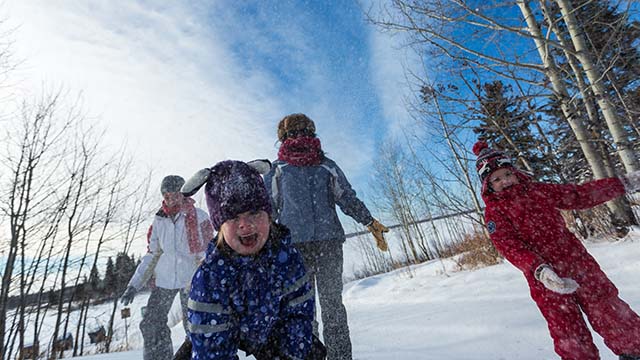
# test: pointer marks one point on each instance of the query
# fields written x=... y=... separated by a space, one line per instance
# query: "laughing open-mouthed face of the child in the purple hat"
x=248 y=232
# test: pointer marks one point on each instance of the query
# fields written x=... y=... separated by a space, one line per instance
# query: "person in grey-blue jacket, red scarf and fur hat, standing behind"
x=305 y=186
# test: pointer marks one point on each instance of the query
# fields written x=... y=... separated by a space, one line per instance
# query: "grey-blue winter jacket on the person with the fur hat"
x=304 y=199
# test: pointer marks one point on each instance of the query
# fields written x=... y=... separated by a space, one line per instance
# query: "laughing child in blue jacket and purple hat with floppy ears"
x=251 y=292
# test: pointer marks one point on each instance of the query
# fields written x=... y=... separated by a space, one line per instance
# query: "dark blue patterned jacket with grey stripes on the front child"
x=244 y=302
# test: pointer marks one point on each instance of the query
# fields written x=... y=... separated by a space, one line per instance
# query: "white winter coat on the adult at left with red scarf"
x=168 y=256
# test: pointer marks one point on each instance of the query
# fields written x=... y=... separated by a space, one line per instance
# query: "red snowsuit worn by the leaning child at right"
x=526 y=227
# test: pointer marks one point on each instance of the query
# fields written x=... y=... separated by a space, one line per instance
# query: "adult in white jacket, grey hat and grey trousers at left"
x=176 y=241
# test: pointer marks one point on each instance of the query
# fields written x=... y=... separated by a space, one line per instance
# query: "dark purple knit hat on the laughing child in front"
x=234 y=187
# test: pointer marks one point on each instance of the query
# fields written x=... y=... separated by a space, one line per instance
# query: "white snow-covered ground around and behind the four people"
x=428 y=313
